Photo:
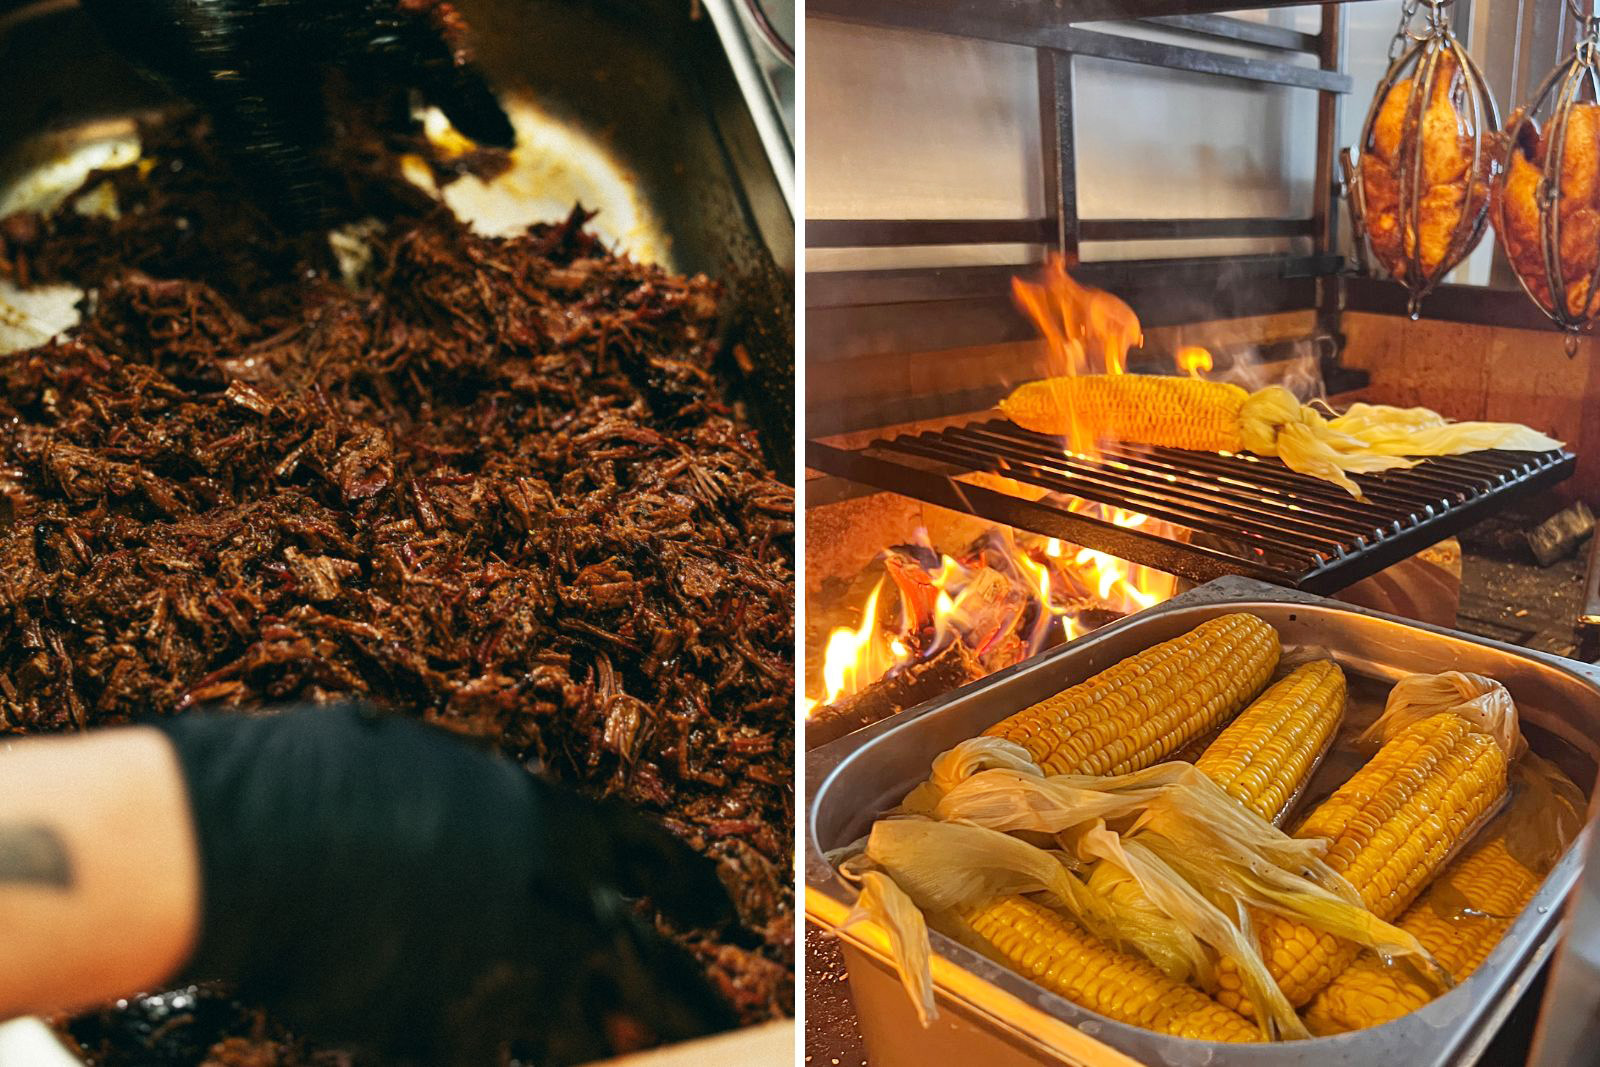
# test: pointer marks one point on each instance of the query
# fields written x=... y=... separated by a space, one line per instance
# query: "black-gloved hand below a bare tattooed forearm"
x=383 y=884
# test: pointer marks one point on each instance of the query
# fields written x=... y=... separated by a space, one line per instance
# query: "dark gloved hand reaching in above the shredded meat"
x=258 y=68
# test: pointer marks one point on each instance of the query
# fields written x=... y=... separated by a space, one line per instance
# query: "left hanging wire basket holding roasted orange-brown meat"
x=1420 y=190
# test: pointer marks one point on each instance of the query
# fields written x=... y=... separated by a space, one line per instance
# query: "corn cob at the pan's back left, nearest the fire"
x=1150 y=705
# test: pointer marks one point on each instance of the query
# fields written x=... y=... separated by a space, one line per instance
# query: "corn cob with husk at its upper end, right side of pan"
x=1390 y=829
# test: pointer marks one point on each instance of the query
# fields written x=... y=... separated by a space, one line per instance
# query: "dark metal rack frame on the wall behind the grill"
x=852 y=314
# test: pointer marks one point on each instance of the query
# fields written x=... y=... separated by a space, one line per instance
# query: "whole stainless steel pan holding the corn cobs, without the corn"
x=993 y=1017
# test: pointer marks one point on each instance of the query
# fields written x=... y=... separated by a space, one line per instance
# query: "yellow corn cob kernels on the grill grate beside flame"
x=1145 y=409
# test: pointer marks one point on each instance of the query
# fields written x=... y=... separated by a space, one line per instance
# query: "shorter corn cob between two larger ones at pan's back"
x=1265 y=757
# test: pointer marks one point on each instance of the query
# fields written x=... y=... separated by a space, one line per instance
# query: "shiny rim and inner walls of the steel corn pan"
x=882 y=761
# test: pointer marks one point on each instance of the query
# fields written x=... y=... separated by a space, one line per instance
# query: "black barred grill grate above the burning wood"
x=1223 y=514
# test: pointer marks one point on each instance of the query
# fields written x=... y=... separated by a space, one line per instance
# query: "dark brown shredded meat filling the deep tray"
x=498 y=489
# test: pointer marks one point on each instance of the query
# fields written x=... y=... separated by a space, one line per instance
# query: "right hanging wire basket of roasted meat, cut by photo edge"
x=1548 y=191
